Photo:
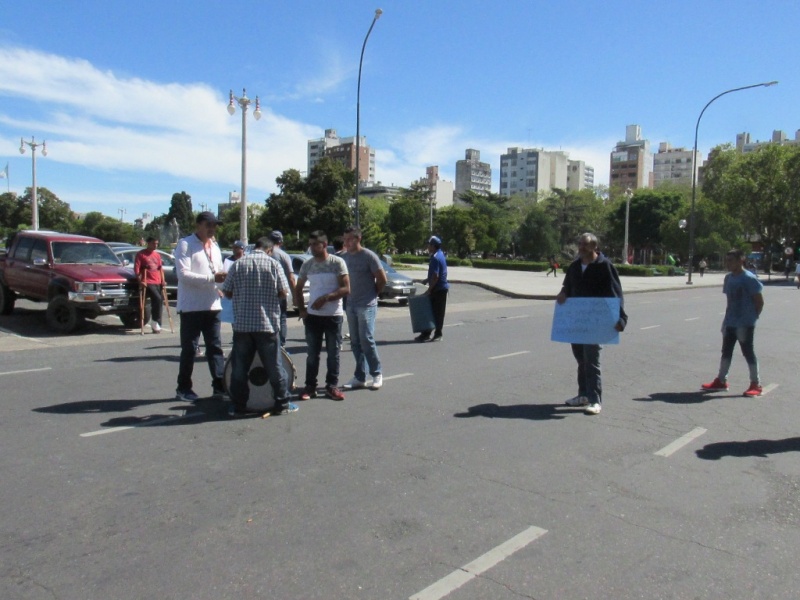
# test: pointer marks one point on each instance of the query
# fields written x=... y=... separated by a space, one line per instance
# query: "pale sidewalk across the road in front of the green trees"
x=537 y=286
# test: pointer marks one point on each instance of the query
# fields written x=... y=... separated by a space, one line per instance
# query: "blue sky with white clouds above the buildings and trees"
x=131 y=96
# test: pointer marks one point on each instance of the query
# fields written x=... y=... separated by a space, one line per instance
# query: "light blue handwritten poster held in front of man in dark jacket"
x=586 y=321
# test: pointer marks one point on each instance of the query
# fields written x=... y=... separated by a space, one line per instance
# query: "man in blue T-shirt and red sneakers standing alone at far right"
x=745 y=303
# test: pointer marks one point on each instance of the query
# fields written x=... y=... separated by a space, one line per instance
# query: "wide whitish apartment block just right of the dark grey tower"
x=529 y=171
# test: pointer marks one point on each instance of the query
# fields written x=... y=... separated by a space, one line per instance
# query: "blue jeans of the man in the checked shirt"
x=245 y=347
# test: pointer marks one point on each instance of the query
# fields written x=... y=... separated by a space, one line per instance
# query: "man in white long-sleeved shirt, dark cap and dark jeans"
x=198 y=263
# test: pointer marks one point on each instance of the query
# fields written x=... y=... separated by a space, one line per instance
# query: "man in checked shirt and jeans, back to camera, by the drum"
x=256 y=284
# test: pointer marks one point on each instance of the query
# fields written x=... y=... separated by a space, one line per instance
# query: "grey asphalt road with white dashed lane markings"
x=465 y=477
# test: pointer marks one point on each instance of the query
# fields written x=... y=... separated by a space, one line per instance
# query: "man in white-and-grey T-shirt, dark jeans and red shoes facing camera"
x=328 y=284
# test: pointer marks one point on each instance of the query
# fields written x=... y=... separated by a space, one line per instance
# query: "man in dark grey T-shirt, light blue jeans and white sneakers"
x=367 y=279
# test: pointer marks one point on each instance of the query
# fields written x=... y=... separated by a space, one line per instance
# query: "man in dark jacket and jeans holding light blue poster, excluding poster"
x=591 y=275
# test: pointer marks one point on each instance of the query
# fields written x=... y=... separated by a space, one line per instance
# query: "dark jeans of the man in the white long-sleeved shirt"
x=193 y=324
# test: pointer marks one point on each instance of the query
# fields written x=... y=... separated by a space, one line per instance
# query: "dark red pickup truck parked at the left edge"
x=79 y=277
